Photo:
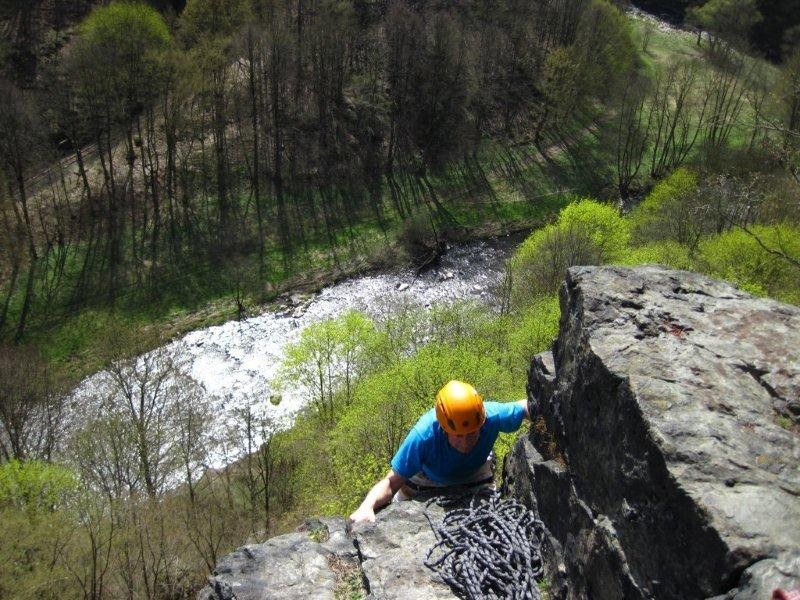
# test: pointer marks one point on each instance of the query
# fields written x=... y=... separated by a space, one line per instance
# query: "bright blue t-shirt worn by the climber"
x=426 y=447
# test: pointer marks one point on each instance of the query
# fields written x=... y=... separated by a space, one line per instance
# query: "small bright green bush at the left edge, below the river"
x=35 y=487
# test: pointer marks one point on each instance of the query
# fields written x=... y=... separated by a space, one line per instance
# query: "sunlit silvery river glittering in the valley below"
x=234 y=365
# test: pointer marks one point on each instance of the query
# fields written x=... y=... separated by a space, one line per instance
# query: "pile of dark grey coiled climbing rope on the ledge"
x=487 y=547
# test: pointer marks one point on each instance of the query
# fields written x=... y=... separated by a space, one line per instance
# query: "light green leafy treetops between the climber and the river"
x=413 y=353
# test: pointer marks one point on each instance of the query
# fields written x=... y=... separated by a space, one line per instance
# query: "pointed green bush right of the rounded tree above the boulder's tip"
x=669 y=212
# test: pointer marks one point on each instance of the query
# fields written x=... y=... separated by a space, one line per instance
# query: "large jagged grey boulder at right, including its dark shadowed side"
x=666 y=460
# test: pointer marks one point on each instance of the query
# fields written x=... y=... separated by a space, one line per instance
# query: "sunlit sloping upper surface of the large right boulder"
x=705 y=384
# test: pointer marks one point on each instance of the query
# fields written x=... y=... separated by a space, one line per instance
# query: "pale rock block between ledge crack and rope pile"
x=393 y=551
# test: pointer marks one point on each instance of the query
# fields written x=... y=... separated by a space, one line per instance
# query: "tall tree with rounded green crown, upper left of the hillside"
x=116 y=67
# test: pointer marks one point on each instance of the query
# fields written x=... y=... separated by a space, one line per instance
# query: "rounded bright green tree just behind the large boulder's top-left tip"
x=587 y=233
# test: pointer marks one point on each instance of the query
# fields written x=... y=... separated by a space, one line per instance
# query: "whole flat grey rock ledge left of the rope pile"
x=383 y=561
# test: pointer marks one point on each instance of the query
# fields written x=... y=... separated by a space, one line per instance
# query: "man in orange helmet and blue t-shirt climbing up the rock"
x=450 y=445
